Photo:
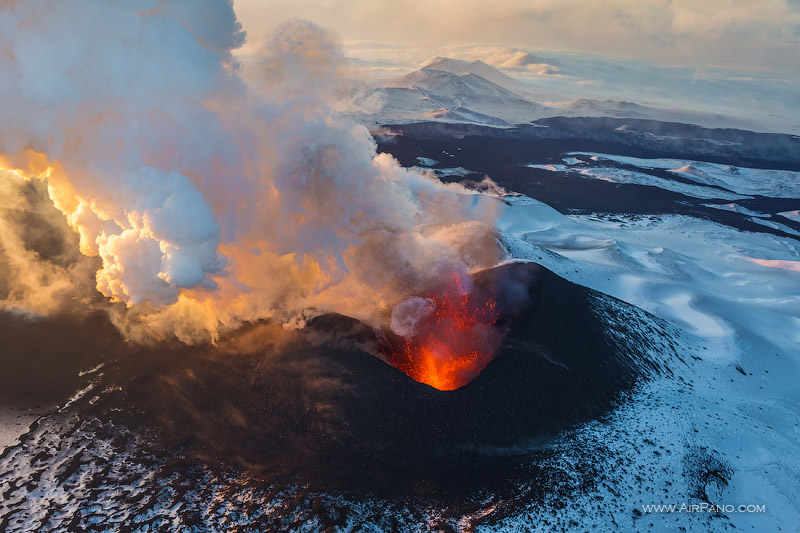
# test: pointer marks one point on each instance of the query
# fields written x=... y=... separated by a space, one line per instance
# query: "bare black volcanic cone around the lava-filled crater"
x=315 y=402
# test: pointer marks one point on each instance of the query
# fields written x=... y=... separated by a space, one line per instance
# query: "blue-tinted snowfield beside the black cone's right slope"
x=736 y=296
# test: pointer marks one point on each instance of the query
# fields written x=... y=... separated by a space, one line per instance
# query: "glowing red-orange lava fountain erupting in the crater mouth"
x=454 y=343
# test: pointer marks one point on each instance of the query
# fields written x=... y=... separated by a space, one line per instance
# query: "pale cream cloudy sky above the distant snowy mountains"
x=752 y=35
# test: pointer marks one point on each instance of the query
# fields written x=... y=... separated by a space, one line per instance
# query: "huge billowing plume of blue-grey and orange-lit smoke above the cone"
x=210 y=201
